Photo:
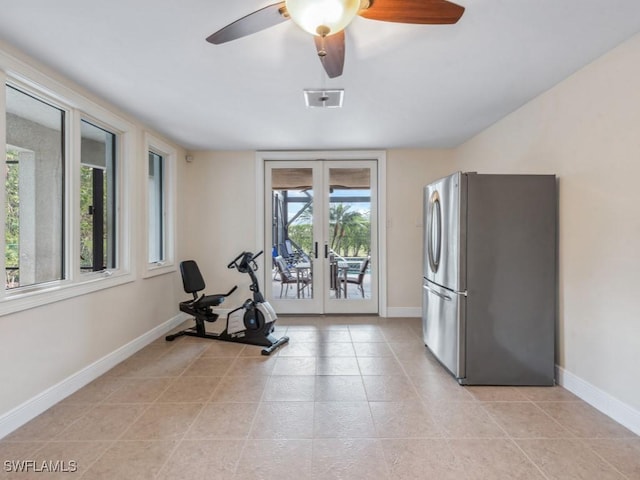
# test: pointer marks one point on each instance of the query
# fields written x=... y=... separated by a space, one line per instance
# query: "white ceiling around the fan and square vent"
x=405 y=85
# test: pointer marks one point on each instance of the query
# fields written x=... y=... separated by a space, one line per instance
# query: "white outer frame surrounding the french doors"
x=379 y=156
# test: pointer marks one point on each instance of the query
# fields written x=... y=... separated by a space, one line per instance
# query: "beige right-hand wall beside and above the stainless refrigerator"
x=586 y=130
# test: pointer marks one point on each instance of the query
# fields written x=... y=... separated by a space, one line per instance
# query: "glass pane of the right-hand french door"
x=349 y=233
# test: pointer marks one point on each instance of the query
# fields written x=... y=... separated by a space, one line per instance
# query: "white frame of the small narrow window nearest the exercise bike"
x=169 y=155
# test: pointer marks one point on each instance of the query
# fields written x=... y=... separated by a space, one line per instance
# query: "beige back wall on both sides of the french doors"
x=219 y=218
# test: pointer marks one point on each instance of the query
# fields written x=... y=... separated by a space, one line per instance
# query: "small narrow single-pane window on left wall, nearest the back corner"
x=160 y=196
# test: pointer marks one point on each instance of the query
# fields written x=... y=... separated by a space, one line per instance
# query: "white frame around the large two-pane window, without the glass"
x=76 y=107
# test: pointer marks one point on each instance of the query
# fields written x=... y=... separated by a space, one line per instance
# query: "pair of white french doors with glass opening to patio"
x=321 y=226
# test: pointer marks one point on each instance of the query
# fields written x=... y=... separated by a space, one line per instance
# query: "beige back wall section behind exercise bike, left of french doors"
x=217 y=216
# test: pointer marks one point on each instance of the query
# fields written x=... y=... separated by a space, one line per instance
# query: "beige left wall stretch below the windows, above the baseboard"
x=44 y=346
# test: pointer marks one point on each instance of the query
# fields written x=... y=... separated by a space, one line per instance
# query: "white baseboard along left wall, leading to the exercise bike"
x=33 y=407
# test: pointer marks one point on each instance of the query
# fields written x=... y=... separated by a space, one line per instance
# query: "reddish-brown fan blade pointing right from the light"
x=431 y=12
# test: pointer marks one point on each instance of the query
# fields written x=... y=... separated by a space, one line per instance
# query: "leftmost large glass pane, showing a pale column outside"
x=34 y=204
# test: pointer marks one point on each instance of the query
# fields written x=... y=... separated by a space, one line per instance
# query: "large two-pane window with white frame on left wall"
x=67 y=194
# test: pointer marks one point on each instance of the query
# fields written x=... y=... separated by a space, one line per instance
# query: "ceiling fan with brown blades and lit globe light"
x=327 y=19
